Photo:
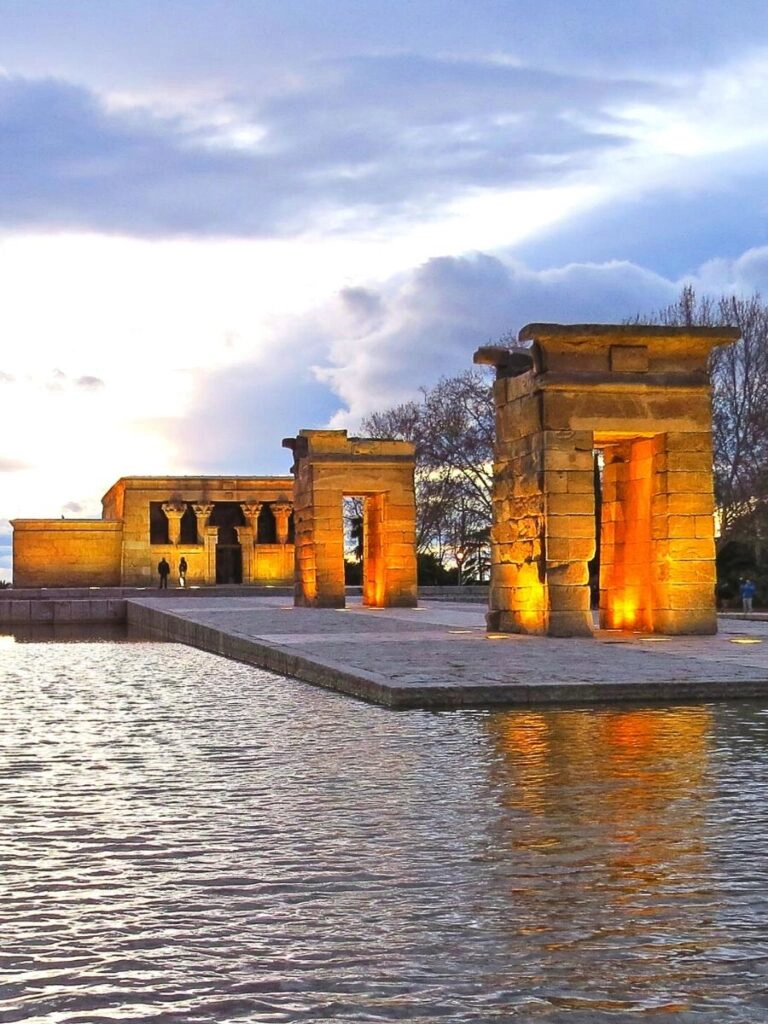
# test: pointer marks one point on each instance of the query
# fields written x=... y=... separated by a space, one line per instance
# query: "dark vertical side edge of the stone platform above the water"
x=156 y=624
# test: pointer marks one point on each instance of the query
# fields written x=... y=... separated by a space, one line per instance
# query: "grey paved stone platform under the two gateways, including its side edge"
x=440 y=656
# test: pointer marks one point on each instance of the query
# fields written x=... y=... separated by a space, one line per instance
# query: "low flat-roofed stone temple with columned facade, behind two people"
x=230 y=530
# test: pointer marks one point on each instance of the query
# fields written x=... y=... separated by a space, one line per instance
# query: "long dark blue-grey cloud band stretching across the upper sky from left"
x=368 y=136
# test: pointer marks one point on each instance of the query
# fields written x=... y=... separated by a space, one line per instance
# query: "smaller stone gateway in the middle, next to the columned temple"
x=328 y=467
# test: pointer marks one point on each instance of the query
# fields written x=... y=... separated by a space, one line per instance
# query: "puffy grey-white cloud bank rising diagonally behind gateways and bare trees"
x=375 y=346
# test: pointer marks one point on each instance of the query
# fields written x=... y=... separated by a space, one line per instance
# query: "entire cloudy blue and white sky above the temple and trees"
x=223 y=222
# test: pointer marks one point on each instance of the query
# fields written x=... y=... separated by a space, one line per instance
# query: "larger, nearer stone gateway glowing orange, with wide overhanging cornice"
x=642 y=398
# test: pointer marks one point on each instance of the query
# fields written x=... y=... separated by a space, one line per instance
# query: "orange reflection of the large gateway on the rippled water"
x=619 y=797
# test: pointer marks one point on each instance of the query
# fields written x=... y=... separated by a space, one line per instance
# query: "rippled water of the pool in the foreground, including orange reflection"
x=187 y=839
